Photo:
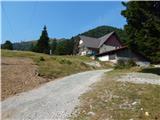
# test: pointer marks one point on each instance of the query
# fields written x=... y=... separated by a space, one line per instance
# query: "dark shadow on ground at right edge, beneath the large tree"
x=151 y=70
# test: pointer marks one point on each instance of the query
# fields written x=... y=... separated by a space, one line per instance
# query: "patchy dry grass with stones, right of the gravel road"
x=108 y=95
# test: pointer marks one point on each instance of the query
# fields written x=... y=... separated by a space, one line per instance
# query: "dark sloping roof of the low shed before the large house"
x=112 y=51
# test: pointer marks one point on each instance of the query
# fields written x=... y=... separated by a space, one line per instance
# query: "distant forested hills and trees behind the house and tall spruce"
x=63 y=47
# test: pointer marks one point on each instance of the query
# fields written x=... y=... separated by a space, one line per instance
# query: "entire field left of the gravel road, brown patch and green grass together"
x=22 y=71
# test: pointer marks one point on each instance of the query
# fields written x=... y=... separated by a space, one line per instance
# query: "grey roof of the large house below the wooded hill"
x=95 y=42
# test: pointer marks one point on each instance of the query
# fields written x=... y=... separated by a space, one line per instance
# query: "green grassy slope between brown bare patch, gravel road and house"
x=53 y=66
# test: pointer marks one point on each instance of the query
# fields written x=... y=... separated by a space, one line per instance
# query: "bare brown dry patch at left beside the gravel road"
x=18 y=75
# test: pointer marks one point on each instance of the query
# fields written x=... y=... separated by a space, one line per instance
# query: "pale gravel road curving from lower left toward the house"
x=54 y=100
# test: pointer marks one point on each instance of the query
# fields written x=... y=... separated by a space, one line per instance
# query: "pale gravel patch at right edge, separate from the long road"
x=141 y=78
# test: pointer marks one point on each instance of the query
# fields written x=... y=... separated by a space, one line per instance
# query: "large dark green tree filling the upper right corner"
x=143 y=27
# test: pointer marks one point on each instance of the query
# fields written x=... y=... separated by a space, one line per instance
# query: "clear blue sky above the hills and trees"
x=23 y=21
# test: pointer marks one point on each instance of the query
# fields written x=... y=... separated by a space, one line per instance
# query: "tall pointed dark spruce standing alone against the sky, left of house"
x=43 y=43
